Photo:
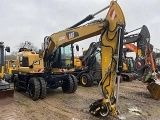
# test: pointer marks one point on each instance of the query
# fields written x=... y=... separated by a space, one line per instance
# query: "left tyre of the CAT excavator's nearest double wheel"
x=34 y=88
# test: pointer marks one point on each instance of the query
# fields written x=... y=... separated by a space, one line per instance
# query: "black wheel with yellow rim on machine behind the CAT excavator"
x=86 y=80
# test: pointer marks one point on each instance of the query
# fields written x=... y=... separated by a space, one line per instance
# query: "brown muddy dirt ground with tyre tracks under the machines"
x=60 y=106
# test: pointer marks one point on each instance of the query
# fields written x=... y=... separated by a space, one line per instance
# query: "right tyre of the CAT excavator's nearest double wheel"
x=43 y=88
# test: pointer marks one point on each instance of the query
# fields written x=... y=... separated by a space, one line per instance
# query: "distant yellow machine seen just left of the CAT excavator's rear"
x=10 y=69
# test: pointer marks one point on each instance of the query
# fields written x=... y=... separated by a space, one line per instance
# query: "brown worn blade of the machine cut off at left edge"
x=6 y=94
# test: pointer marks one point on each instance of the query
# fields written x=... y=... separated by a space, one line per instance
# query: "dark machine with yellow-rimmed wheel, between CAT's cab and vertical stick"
x=89 y=69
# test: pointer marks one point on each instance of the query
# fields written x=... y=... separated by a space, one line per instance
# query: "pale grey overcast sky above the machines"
x=32 y=20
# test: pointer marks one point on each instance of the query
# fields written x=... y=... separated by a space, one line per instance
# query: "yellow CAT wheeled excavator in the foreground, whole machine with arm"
x=58 y=57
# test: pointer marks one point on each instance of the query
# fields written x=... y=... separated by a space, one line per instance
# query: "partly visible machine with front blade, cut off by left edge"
x=5 y=90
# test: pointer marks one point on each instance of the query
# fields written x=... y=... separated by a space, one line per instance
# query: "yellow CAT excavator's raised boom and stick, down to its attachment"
x=111 y=31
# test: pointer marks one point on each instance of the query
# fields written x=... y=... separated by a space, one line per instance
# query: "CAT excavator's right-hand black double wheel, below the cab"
x=69 y=85
